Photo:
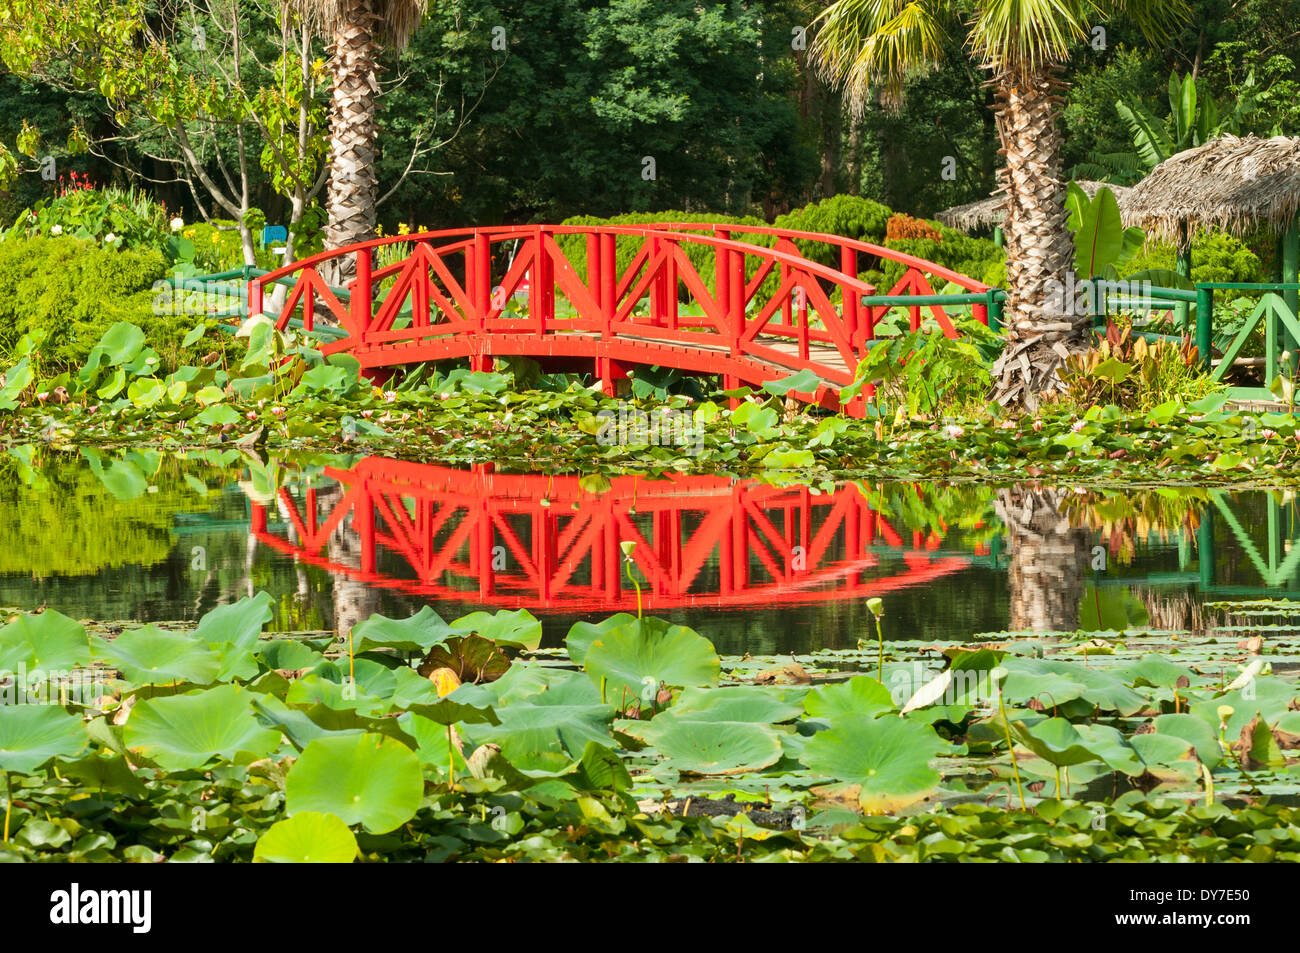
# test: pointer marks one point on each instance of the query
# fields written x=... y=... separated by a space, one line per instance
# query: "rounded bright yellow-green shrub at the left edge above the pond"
x=75 y=291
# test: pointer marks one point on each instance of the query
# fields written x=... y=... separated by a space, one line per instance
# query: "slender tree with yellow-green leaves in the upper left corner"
x=216 y=94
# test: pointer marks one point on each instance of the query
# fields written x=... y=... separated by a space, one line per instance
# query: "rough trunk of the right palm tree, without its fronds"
x=1042 y=328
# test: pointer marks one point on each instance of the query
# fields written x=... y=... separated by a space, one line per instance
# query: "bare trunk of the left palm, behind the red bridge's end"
x=353 y=185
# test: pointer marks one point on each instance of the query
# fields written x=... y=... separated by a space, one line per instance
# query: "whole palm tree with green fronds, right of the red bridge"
x=876 y=46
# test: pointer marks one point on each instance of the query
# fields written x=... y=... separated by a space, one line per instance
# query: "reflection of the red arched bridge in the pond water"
x=552 y=544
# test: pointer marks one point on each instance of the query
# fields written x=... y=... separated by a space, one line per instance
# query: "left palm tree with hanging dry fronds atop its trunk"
x=357 y=32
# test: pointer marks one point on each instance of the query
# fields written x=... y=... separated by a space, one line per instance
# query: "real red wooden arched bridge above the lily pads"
x=746 y=304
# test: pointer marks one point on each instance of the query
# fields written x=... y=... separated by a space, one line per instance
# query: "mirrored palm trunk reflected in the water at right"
x=1048 y=557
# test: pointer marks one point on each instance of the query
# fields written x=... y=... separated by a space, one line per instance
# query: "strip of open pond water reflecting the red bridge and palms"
x=757 y=568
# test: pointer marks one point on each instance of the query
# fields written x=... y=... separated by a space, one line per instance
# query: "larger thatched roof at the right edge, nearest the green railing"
x=1230 y=184
